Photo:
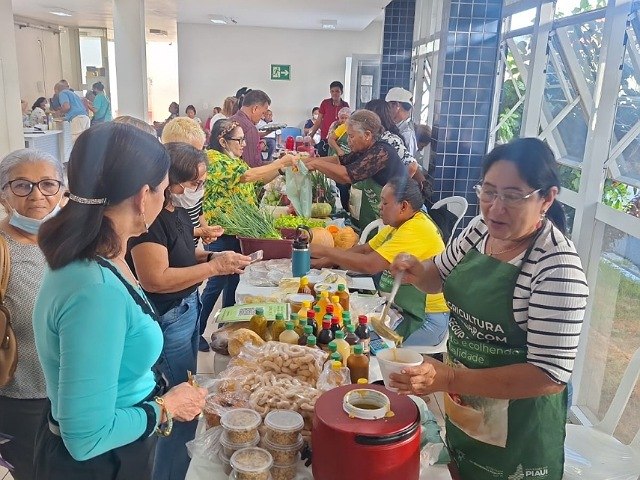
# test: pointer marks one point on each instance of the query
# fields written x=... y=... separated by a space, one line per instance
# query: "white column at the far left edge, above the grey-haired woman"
x=11 y=137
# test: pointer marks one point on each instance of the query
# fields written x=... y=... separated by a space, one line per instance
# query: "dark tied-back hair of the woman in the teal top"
x=111 y=161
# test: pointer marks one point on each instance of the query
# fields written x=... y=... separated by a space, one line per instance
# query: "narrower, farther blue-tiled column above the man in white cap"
x=397 y=43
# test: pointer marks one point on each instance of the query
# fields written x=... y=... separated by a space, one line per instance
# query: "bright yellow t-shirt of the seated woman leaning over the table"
x=419 y=237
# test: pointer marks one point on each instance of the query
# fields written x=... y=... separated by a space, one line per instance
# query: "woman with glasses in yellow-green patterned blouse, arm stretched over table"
x=228 y=175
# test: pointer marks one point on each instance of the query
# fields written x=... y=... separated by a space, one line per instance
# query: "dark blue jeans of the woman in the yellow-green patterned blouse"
x=226 y=284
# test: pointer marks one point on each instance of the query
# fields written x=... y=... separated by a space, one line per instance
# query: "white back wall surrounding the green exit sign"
x=215 y=61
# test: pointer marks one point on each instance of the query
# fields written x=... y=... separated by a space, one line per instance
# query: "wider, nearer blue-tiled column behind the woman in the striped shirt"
x=464 y=93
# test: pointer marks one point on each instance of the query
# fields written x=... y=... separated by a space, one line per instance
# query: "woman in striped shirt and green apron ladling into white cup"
x=517 y=293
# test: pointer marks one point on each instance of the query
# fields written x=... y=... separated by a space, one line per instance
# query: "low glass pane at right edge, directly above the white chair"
x=613 y=336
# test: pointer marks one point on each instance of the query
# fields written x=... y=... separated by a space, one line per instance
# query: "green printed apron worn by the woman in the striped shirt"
x=492 y=438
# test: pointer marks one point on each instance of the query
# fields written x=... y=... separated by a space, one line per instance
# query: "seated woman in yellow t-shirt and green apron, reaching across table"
x=408 y=229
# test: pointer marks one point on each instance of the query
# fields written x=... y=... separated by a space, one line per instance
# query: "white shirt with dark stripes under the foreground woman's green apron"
x=549 y=299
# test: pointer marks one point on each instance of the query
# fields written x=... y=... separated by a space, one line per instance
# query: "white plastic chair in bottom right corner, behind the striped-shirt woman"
x=592 y=452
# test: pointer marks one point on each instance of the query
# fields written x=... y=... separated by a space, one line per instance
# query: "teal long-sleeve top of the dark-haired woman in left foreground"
x=97 y=347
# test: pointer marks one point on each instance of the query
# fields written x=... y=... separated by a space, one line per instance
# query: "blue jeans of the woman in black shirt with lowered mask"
x=179 y=354
